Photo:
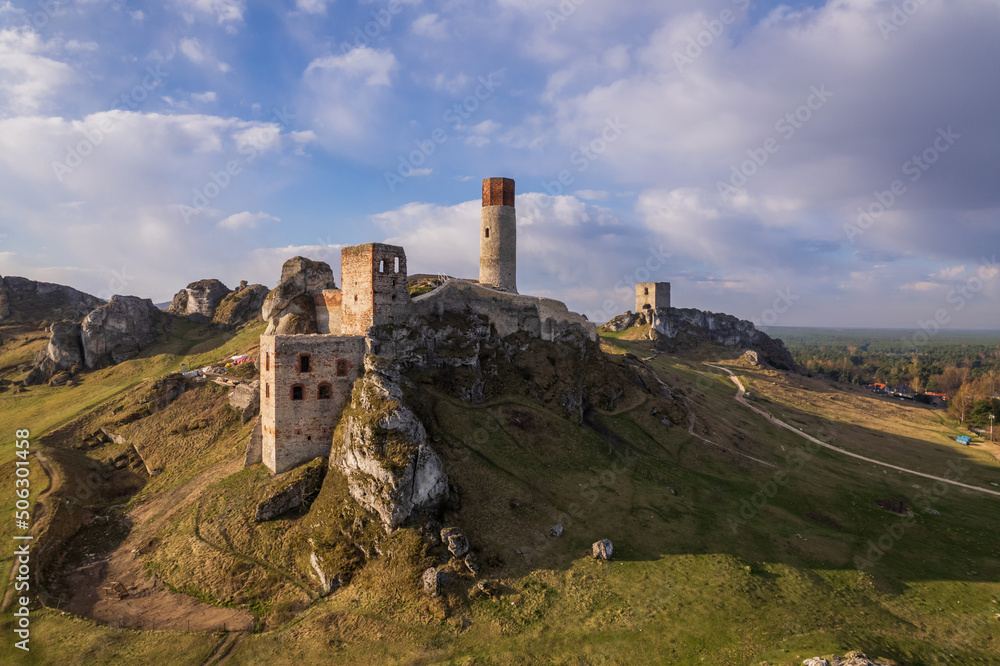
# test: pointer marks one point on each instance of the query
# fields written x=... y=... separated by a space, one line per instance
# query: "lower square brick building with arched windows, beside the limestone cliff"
x=295 y=431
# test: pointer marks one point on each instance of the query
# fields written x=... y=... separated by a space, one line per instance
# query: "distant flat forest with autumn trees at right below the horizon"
x=965 y=365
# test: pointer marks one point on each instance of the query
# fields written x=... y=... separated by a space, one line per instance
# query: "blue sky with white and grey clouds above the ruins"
x=802 y=163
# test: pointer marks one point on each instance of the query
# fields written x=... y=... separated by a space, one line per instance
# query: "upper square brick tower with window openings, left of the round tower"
x=373 y=277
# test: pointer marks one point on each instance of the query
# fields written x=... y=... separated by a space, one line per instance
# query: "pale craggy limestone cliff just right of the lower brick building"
x=390 y=469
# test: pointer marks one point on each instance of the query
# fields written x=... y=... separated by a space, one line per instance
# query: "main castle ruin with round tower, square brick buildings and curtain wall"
x=307 y=380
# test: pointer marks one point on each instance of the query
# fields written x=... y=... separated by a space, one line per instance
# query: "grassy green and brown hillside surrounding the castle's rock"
x=735 y=541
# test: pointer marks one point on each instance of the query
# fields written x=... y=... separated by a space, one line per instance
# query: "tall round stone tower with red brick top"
x=498 y=236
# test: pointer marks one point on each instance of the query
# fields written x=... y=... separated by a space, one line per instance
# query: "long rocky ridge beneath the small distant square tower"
x=675 y=328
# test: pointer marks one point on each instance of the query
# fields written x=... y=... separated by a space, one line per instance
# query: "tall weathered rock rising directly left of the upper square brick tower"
x=289 y=308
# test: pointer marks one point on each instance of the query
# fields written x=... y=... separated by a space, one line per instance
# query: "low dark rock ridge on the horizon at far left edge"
x=22 y=299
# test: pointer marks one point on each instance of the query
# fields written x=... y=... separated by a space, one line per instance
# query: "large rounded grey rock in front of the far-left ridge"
x=120 y=330
